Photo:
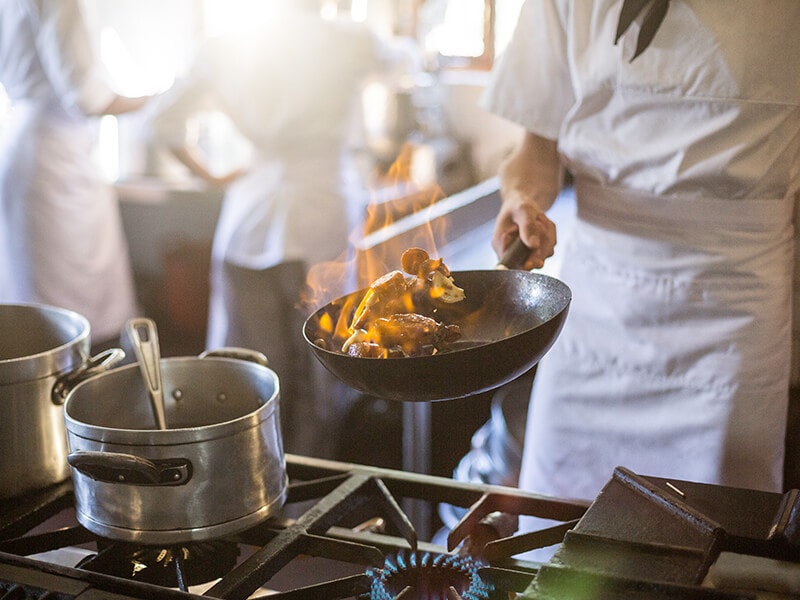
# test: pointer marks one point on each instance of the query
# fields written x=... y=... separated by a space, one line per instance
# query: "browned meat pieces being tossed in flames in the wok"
x=396 y=315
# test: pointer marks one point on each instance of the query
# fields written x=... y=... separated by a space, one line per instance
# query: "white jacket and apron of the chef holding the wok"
x=674 y=359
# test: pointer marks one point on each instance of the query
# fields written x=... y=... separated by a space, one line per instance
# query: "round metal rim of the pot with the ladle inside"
x=177 y=435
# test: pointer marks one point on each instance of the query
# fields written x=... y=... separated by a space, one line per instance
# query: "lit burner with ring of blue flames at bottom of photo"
x=428 y=576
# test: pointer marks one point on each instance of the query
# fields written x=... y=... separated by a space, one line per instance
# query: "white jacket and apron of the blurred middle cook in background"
x=289 y=87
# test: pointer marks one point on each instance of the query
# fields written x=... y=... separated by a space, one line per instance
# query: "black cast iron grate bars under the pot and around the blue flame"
x=349 y=516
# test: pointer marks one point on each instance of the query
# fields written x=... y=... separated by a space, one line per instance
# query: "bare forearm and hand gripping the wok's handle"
x=530 y=181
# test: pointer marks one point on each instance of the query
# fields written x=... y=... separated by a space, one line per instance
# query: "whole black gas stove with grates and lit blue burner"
x=344 y=532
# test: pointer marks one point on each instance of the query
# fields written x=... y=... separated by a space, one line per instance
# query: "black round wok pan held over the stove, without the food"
x=509 y=320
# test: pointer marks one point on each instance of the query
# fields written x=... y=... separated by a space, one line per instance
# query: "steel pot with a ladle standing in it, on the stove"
x=218 y=468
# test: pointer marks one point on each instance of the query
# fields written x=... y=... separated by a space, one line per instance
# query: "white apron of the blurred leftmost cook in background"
x=64 y=243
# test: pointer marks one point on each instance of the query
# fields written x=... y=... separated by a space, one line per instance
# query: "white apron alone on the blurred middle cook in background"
x=289 y=208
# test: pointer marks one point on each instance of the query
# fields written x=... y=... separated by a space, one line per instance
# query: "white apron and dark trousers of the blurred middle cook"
x=284 y=216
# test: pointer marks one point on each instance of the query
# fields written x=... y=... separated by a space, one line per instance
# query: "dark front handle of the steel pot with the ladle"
x=113 y=467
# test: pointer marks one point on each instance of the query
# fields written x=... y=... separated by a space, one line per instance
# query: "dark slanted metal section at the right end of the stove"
x=653 y=538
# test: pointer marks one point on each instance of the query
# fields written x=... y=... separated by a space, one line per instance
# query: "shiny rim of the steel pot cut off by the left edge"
x=53 y=361
